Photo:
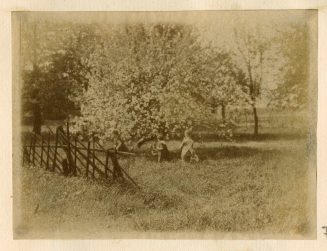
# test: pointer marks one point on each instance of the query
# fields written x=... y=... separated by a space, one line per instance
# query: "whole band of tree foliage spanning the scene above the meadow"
x=145 y=77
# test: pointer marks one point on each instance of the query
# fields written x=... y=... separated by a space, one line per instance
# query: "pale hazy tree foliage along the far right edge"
x=292 y=88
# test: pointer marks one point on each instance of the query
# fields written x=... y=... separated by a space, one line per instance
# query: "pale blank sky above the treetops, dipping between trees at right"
x=216 y=27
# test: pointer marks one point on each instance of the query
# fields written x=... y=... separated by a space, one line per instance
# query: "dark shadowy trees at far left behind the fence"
x=55 y=65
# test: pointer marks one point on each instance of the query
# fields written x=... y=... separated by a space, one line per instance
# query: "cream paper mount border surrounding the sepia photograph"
x=6 y=233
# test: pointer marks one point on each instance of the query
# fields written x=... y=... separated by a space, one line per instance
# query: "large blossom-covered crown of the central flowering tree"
x=145 y=78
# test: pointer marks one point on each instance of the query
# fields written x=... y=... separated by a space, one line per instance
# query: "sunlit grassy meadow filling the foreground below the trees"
x=244 y=189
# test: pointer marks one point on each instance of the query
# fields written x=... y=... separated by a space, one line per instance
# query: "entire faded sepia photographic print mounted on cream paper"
x=165 y=124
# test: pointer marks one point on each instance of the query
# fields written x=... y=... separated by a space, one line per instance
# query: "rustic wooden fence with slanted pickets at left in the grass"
x=71 y=156
